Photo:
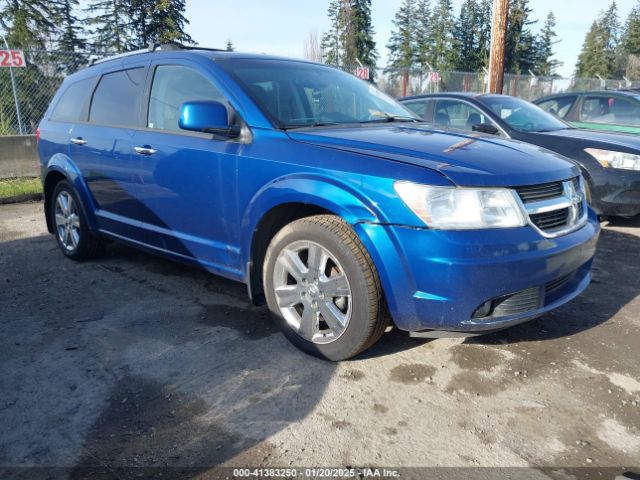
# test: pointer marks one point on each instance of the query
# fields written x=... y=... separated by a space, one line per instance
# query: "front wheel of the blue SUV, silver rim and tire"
x=336 y=308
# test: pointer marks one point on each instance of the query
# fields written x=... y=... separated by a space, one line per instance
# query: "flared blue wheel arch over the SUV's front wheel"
x=322 y=191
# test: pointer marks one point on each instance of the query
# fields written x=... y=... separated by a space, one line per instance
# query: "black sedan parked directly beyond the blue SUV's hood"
x=610 y=162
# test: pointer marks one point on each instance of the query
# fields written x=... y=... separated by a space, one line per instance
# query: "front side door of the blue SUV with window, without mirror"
x=188 y=185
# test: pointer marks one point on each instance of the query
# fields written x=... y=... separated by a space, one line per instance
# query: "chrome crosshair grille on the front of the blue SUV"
x=554 y=208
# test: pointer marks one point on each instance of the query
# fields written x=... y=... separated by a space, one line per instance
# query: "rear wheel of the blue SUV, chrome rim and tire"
x=70 y=225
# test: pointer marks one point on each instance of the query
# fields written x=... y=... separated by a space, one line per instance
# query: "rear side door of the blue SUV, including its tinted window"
x=102 y=145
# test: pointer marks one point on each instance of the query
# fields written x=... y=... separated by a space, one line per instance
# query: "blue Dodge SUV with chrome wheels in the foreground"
x=332 y=202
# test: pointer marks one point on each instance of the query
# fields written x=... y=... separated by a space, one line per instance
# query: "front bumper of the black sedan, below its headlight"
x=615 y=192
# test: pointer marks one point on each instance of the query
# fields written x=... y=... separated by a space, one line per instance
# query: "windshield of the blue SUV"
x=296 y=94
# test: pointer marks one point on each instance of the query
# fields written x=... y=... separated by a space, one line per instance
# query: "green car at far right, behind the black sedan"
x=613 y=111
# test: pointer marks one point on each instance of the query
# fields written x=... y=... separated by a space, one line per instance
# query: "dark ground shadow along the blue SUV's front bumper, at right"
x=615 y=283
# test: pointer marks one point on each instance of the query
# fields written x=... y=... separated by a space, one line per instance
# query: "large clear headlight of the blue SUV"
x=462 y=208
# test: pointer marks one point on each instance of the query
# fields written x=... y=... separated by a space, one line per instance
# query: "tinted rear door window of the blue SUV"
x=116 y=98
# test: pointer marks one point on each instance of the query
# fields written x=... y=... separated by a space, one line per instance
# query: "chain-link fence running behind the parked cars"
x=25 y=92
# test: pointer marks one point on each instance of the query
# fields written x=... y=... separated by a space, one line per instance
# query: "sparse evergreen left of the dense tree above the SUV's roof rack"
x=108 y=22
